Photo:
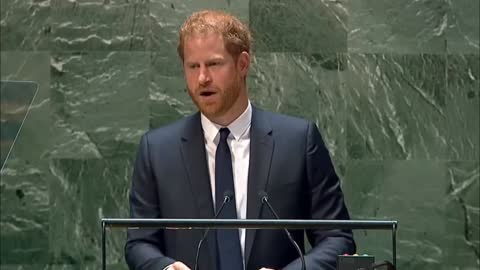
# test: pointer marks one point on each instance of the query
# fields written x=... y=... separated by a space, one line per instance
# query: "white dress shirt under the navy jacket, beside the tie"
x=239 y=142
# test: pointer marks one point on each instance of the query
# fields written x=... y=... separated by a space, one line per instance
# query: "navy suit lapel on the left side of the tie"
x=195 y=160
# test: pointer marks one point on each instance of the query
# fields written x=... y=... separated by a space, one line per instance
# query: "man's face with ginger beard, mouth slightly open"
x=214 y=79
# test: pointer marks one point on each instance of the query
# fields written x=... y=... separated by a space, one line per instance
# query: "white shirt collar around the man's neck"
x=238 y=128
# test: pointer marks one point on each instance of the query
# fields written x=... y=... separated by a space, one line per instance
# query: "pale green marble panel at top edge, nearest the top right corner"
x=385 y=26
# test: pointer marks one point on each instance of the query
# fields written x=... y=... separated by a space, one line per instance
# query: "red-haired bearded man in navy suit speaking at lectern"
x=184 y=170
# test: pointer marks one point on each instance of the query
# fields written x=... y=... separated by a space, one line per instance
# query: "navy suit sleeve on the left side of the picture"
x=143 y=250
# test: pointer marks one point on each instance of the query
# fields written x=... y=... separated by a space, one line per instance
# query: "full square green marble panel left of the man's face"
x=100 y=101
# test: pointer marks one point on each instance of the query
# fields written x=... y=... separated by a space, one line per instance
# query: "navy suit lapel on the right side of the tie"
x=261 y=149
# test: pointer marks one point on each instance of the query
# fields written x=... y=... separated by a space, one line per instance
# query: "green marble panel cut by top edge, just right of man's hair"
x=299 y=26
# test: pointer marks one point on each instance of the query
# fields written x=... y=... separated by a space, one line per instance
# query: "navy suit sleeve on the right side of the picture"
x=326 y=202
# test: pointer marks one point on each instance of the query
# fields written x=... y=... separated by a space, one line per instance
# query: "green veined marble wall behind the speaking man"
x=393 y=85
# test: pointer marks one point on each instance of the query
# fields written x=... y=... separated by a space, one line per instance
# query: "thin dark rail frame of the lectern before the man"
x=188 y=224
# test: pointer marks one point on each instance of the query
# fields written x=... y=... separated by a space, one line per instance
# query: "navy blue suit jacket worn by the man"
x=288 y=160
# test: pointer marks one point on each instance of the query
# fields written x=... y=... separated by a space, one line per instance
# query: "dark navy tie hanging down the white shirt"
x=228 y=240
